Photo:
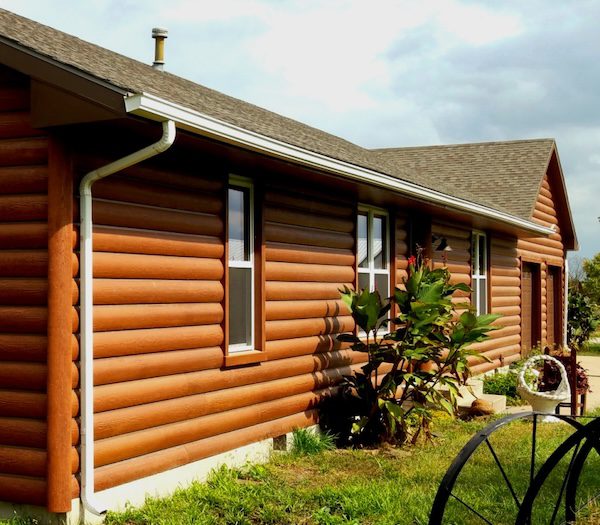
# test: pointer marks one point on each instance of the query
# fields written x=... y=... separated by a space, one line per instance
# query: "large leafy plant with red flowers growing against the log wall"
x=415 y=367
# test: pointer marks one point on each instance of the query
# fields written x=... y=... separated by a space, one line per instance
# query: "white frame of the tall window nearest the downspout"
x=237 y=181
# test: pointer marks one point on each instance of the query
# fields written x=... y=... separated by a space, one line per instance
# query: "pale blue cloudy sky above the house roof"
x=384 y=73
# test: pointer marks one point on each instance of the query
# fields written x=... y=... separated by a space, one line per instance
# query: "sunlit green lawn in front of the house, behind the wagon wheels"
x=389 y=486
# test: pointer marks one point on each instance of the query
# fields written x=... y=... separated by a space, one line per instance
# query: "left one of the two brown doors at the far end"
x=530 y=306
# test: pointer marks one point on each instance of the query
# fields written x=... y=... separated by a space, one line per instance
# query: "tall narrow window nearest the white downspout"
x=240 y=265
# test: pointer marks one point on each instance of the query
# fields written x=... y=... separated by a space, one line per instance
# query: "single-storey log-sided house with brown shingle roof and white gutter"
x=170 y=260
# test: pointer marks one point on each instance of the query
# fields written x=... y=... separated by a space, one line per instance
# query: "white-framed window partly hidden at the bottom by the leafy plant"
x=373 y=251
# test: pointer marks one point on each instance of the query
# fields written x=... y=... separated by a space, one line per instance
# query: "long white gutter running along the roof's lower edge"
x=155 y=108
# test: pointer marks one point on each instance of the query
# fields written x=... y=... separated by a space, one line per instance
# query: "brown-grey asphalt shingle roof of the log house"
x=502 y=176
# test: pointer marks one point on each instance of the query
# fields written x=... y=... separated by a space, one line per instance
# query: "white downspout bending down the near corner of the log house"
x=88 y=496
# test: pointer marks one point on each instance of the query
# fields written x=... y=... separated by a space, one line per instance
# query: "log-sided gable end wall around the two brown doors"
x=545 y=251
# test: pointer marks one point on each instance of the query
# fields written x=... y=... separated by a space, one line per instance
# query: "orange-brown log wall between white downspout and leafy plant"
x=162 y=396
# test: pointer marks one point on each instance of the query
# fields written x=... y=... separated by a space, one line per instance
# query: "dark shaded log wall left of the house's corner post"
x=23 y=299
